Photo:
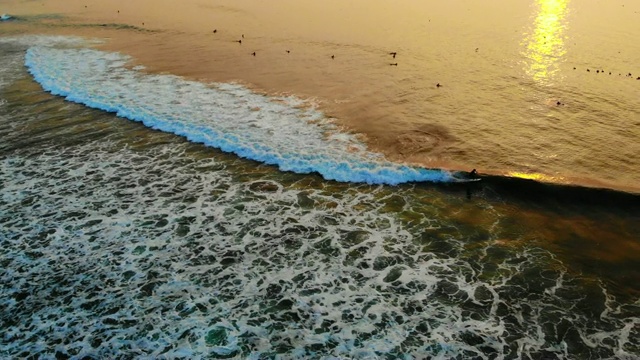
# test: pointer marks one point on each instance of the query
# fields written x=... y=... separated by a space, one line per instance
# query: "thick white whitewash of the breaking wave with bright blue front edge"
x=273 y=130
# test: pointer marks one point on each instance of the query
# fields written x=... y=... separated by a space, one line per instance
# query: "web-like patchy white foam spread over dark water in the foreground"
x=108 y=251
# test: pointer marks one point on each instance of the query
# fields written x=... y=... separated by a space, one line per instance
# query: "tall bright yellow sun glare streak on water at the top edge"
x=545 y=45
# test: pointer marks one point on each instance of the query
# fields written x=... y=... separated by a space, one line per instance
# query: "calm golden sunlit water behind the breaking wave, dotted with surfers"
x=502 y=76
